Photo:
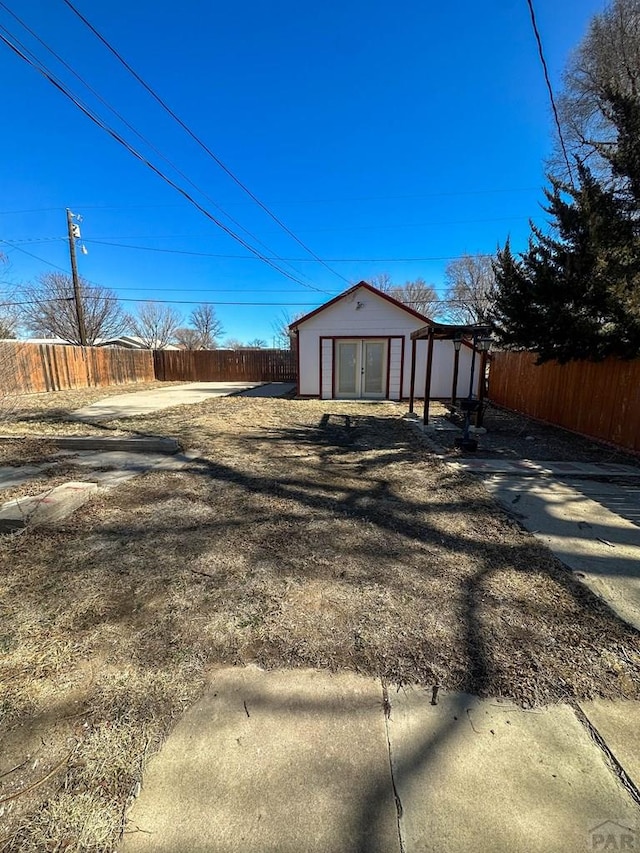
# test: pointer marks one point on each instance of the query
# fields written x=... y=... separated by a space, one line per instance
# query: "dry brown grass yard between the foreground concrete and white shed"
x=307 y=534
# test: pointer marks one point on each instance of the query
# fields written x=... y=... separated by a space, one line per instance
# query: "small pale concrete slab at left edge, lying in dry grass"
x=46 y=508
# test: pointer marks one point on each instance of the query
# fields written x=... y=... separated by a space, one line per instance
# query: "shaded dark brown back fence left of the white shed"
x=268 y=365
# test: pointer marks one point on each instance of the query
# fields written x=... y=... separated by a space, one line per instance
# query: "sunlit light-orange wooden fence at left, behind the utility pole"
x=29 y=368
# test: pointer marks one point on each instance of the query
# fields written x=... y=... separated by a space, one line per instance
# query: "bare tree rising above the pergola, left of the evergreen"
x=471 y=289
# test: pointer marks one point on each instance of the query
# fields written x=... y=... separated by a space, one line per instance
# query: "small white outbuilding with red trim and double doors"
x=358 y=345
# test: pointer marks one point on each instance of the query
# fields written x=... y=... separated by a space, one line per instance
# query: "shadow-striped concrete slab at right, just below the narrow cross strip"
x=599 y=545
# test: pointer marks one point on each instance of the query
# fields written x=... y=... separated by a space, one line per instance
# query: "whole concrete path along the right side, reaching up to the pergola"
x=592 y=526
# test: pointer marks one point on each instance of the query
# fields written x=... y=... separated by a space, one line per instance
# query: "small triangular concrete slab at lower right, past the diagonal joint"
x=618 y=724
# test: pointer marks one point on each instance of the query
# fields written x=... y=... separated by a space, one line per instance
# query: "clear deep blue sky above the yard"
x=373 y=130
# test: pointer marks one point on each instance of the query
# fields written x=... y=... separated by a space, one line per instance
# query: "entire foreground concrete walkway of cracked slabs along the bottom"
x=291 y=761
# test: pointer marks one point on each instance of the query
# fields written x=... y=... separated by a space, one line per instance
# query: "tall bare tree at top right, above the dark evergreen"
x=607 y=61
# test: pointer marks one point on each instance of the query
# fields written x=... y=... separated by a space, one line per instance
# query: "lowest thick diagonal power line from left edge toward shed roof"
x=135 y=153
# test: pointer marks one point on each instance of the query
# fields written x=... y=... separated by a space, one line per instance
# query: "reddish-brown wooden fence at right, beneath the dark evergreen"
x=601 y=399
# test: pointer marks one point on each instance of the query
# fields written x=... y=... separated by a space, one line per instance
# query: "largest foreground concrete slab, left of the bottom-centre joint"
x=276 y=762
